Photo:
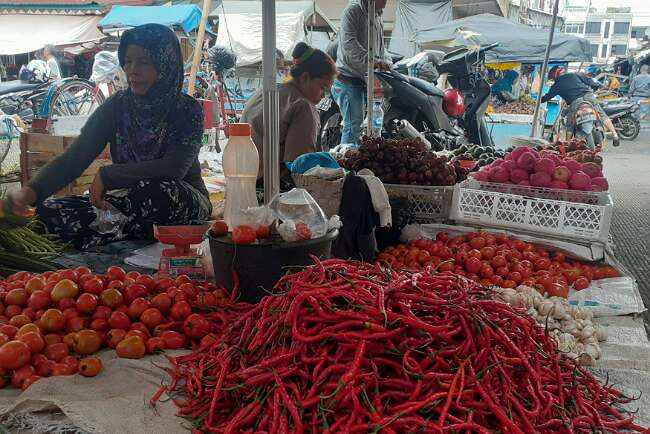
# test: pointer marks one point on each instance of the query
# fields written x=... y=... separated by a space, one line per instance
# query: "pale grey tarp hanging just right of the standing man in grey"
x=412 y=15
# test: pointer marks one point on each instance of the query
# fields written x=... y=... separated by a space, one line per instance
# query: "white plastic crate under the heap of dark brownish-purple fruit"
x=431 y=204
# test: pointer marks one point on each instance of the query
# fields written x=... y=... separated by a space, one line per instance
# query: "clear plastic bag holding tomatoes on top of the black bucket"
x=302 y=218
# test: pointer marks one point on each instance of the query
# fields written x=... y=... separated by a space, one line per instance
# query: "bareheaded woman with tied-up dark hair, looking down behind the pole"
x=311 y=74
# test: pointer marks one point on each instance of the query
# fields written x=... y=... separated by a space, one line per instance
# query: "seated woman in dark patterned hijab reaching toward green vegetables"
x=154 y=131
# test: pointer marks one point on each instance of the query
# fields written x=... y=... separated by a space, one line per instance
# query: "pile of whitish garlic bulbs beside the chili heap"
x=572 y=327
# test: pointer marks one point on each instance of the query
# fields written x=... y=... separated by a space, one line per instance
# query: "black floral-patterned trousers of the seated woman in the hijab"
x=147 y=203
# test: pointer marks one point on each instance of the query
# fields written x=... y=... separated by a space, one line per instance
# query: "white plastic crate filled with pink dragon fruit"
x=560 y=218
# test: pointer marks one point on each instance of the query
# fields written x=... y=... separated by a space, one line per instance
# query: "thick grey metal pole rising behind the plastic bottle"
x=270 y=157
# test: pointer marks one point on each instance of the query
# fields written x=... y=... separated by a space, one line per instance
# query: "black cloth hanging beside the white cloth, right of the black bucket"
x=356 y=238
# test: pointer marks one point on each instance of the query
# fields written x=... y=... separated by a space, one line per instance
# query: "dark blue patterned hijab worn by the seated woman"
x=143 y=121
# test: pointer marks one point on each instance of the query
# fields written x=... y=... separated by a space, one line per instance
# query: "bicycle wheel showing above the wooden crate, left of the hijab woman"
x=75 y=98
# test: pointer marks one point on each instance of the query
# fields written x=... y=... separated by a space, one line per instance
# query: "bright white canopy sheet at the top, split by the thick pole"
x=240 y=26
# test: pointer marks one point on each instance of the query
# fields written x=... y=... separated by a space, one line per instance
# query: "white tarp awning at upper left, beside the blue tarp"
x=26 y=33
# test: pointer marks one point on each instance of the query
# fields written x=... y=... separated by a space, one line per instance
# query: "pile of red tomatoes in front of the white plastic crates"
x=497 y=260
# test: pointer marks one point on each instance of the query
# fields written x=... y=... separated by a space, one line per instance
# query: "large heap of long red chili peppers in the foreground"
x=351 y=347
